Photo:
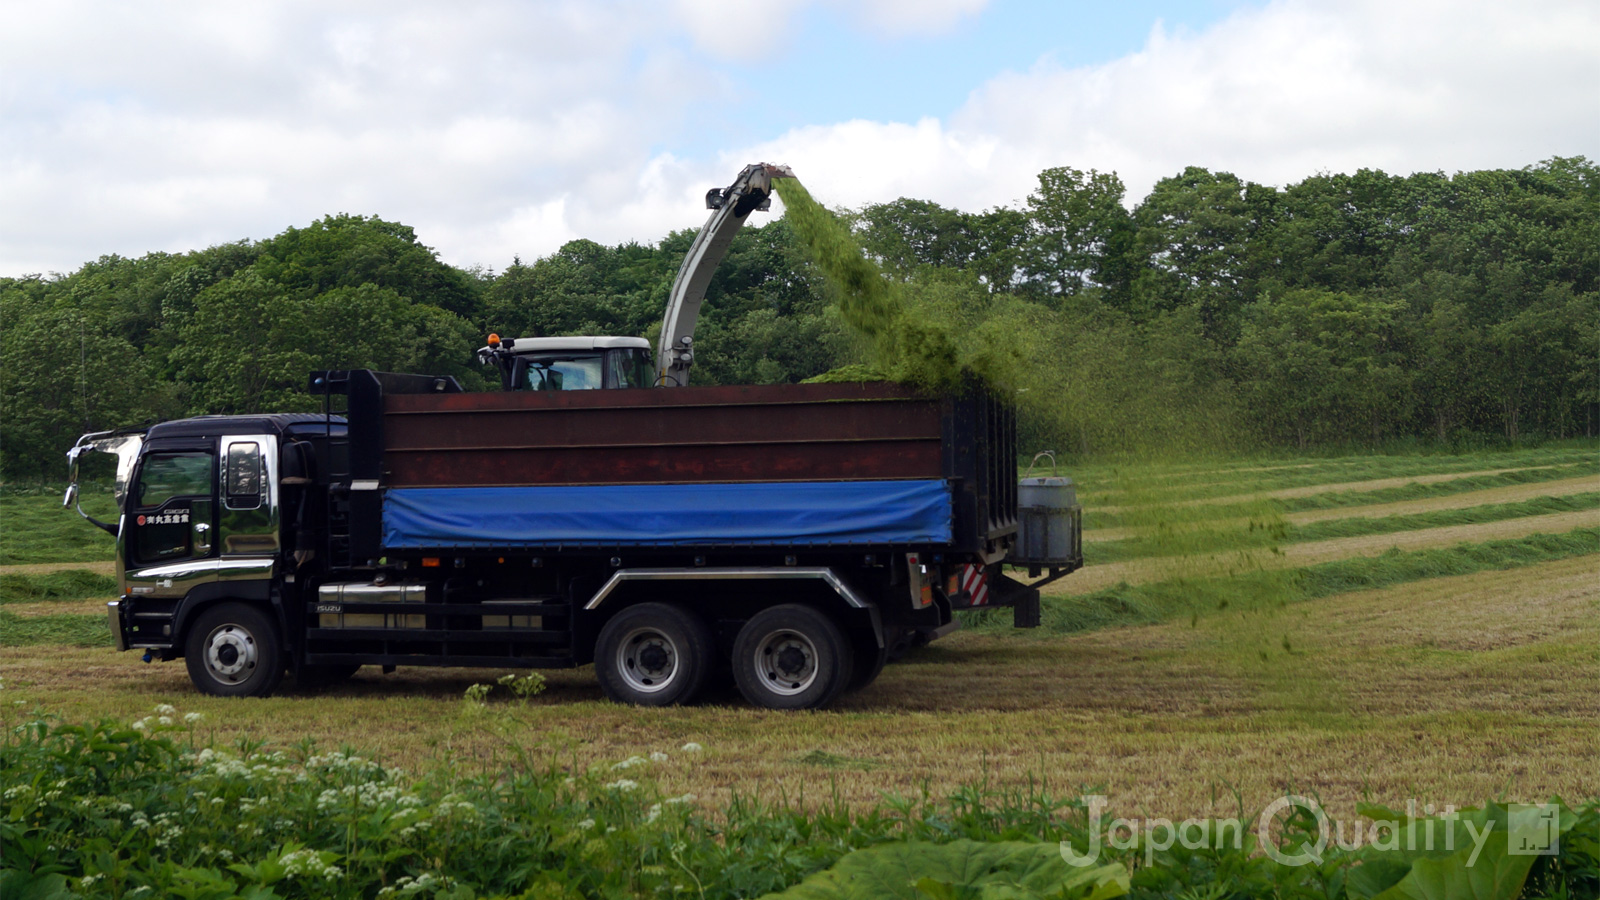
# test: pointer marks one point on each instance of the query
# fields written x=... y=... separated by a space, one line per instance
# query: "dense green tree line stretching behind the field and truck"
x=1345 y=308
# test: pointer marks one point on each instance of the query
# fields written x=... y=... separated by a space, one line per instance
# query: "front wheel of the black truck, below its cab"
x=234 y=651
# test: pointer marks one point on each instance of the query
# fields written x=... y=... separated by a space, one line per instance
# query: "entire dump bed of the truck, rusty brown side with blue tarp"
x=796 y=465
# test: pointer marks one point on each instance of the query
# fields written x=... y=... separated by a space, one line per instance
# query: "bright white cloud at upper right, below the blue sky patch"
x=1273 y=95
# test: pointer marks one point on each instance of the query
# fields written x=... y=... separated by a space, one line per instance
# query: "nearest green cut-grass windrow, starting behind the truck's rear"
x=1162 y=601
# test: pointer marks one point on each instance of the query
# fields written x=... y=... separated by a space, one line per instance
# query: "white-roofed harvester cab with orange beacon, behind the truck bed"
x=570 y=364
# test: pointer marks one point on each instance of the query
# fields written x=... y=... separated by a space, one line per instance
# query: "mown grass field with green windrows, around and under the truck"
x=1354 y=629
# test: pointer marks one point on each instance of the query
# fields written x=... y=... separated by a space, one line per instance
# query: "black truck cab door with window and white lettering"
x=170 y=521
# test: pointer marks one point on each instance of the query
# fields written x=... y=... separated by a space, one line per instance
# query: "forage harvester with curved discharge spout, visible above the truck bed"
x=588 y=363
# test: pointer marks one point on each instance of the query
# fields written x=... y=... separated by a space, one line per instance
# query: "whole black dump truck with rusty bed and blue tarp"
x=794 y=536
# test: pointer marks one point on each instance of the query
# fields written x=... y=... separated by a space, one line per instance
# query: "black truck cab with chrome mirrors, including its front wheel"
x=215 y=513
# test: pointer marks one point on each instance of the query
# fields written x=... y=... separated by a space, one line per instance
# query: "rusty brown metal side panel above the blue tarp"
x=772 y=433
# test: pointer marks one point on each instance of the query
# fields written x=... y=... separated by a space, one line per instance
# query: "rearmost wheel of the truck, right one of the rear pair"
x=791 y=657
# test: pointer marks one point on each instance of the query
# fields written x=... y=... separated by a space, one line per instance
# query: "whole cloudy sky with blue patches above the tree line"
x=503 y=129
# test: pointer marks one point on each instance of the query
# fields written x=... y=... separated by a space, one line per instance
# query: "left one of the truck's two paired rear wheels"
x=655 y=656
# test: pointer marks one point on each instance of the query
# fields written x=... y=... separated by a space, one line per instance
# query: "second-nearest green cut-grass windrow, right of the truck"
x=1244 y=536
